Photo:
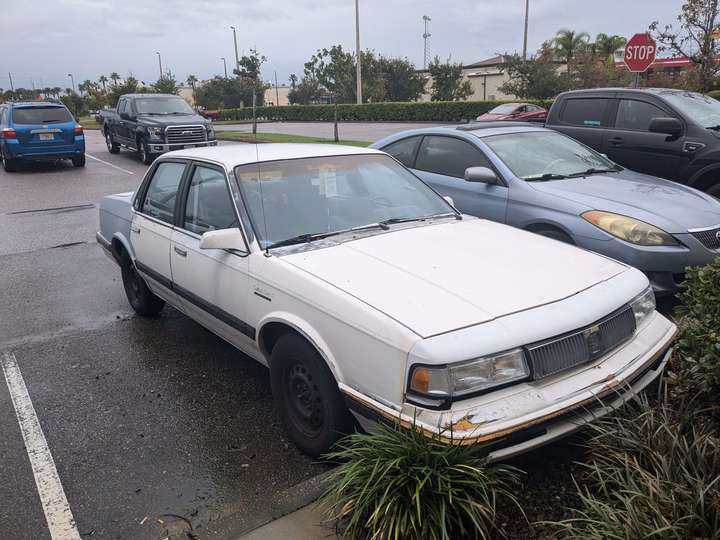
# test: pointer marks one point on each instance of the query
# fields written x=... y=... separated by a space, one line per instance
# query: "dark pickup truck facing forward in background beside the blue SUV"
x=151 y=124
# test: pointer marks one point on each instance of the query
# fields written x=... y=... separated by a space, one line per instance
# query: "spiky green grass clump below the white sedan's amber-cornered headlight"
x=397 y=483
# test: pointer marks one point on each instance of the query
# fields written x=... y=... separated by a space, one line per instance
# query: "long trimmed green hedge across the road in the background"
x=432 y=111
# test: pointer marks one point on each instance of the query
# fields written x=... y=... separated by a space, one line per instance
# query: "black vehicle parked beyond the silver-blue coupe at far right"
x=674 y=134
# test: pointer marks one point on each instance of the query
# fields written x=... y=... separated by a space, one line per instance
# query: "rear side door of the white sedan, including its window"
x=152 y=225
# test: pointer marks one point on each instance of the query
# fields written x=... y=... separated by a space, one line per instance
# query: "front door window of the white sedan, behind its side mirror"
x=208 y=206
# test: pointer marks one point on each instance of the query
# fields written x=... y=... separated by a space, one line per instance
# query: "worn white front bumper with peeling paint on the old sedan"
x=519 y=418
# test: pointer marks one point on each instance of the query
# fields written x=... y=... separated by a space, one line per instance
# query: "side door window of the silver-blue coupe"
x=448 y=156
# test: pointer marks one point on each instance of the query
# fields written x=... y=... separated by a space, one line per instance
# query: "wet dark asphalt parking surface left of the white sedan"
x=157 y=428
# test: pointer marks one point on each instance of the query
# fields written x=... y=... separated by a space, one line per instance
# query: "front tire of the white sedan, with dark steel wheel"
x=309 y=402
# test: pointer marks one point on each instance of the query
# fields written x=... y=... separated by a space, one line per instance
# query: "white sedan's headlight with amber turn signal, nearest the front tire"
x=457 y=380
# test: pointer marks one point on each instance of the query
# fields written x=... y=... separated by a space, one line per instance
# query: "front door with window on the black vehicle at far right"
x=629 y=143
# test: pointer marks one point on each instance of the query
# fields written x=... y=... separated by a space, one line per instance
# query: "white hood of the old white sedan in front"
x=438 y=278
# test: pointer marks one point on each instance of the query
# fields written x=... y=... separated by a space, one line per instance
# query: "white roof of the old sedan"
x=232 y=155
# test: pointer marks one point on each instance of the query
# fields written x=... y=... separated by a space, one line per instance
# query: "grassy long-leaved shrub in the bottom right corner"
x=651 y=474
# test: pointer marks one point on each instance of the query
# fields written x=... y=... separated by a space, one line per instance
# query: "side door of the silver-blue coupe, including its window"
x=441 y=161
